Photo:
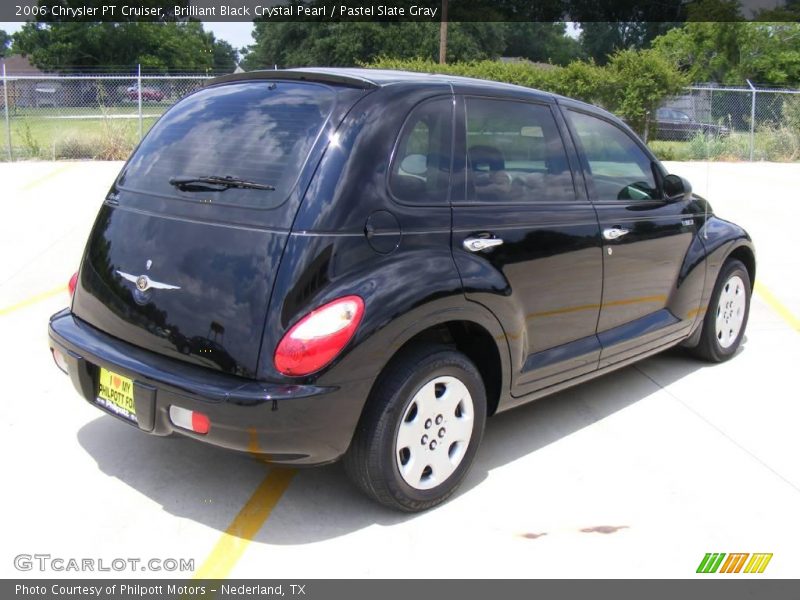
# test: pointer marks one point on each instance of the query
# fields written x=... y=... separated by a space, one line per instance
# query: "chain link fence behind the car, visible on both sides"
x=104 y=116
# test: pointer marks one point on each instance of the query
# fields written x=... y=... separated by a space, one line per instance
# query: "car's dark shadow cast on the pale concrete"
x=210 y=485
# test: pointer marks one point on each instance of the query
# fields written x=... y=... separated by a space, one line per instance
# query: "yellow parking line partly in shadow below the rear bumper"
x=245 y=525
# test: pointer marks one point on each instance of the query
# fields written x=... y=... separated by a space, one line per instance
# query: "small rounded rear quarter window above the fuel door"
x=421 y=168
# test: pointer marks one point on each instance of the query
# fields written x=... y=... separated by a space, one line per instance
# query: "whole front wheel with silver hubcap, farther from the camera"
x=726 y=318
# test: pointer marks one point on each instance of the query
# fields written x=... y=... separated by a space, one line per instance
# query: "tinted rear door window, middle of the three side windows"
x=515 y=153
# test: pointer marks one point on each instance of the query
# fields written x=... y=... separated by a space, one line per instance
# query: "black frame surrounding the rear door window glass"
x=568 y=155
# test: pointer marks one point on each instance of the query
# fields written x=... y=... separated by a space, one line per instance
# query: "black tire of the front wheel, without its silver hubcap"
x=709 y=347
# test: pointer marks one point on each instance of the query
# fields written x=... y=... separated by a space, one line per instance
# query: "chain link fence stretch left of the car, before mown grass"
x=98 y=117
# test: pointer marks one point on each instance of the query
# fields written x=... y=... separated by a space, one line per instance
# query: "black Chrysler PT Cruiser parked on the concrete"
x=318 y=264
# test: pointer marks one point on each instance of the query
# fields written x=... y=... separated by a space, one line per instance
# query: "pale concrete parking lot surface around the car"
x=637 y=474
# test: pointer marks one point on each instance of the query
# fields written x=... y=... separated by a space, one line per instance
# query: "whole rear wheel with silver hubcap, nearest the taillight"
x=420 y=429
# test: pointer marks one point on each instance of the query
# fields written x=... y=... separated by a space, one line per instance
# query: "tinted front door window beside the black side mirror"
x=620 y=170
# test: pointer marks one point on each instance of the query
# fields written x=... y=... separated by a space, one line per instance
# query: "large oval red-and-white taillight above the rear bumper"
x=317 y=338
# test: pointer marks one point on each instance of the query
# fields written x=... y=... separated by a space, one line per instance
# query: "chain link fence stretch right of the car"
x=728 y=123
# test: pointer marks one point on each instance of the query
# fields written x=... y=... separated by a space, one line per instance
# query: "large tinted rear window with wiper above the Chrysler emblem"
x=255 y=131
